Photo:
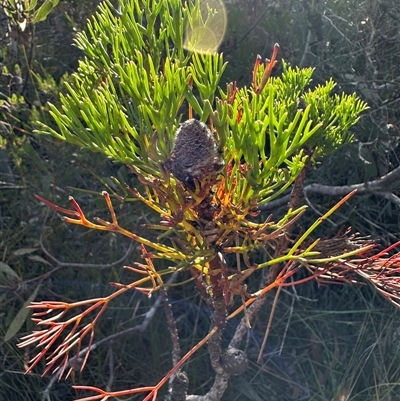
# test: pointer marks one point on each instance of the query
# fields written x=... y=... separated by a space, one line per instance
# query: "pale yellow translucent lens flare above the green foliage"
x=206 y=27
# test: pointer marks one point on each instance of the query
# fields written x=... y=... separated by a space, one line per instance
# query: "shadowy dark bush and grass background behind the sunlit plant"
x=333 y=343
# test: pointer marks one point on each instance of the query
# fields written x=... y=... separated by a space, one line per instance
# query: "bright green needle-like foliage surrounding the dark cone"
x=136 y=82
